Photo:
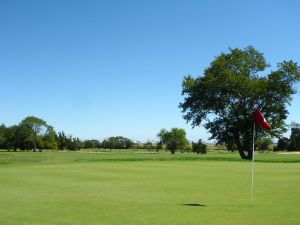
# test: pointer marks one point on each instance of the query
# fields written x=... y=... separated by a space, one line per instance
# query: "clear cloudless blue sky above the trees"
x=104 y=68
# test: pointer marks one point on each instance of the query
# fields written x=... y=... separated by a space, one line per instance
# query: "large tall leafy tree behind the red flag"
x=231 y=87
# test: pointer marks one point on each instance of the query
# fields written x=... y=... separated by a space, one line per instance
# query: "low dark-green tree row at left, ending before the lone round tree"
x=35 y=134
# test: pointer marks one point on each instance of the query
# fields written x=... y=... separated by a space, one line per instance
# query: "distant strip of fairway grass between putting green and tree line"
x=56 y=157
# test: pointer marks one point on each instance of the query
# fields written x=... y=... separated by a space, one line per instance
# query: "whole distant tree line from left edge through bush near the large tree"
x=35 y=134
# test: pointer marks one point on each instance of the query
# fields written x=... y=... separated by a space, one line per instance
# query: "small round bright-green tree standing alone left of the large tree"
x=173 y=139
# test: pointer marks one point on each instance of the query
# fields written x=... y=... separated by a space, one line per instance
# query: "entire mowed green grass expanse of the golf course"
x=79 y=188
